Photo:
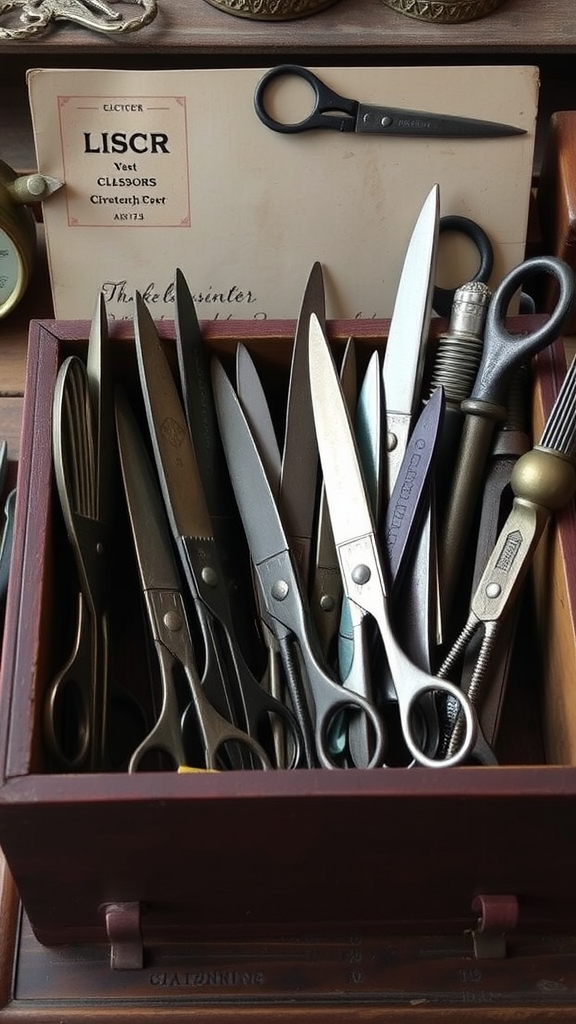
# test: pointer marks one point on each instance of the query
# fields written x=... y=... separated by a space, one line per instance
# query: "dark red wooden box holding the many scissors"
x=276 y=856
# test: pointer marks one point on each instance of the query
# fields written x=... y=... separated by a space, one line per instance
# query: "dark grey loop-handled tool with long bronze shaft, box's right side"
x=502 y=355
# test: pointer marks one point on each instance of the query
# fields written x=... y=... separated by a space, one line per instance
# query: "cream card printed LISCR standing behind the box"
x=175 y=169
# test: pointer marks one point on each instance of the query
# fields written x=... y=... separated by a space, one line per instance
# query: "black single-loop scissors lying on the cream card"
x=341 y=114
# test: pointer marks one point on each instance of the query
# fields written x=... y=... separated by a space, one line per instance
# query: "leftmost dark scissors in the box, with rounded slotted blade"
x=78 y=727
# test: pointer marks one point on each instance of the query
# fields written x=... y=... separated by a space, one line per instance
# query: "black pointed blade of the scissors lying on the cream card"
x=399 y=121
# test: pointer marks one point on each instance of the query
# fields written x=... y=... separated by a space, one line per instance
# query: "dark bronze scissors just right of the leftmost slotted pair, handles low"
x=190 y=730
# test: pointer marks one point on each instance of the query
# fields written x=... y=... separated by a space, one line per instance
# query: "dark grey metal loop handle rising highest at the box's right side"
x=503 y=351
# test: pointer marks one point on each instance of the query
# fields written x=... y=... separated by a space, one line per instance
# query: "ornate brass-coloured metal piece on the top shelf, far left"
x=37 y=16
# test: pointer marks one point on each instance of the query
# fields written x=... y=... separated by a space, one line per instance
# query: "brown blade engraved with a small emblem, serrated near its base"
x=175 y=454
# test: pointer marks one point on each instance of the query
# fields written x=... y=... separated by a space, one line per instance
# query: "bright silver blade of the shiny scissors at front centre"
x=346 y=490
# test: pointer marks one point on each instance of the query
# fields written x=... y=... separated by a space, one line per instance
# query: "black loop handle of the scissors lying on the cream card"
x=327 y=104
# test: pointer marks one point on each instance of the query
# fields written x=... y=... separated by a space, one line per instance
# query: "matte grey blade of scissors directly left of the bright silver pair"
x=263 y=527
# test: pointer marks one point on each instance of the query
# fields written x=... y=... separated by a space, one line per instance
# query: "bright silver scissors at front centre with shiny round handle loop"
x=359 y=554
